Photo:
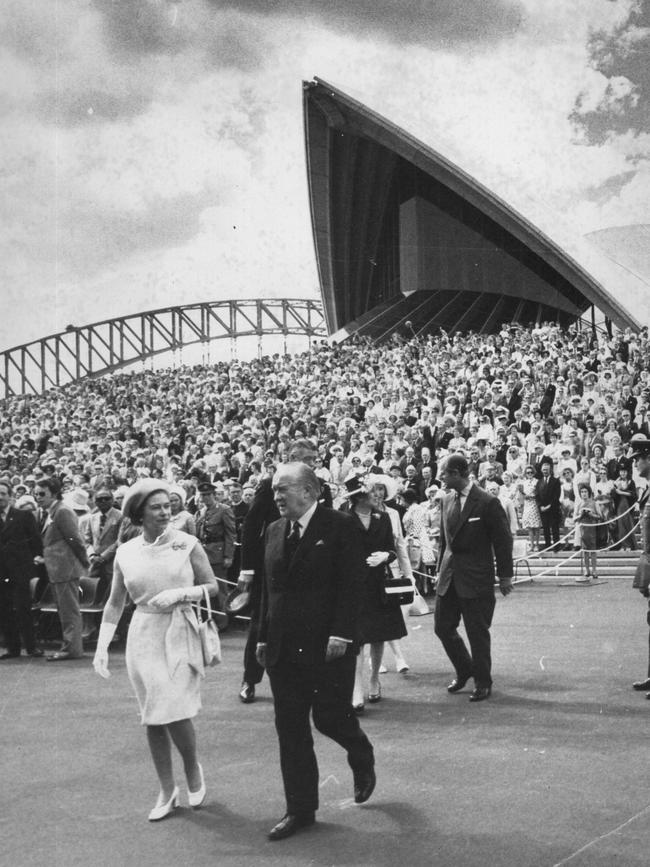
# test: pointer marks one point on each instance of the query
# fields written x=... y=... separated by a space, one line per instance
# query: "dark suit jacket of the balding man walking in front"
x=316 y=595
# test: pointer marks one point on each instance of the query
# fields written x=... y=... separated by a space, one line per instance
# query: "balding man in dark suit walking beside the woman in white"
x=313 y=561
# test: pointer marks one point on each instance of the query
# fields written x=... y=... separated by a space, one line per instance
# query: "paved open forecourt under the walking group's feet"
x=551 y=770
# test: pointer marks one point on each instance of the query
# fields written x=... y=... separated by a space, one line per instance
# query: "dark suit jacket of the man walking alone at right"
x=467 y=555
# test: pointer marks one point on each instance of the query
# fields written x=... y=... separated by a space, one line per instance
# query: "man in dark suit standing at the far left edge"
x=20 y=542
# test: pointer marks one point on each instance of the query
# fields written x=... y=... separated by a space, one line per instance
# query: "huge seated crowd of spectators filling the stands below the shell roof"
x=508 y=401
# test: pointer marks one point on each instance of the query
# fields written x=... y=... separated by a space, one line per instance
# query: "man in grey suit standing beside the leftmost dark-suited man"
x=65 y=558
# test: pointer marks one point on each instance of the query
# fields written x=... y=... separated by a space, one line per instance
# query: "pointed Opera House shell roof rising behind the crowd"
x=404 y=235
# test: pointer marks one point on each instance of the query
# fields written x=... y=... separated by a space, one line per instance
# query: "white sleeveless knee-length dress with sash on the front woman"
x=163 y=649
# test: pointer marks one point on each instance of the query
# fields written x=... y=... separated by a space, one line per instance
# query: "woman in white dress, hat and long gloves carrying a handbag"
x=163 y=571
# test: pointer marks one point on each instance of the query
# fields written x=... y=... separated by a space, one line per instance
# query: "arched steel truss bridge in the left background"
x=102 y=347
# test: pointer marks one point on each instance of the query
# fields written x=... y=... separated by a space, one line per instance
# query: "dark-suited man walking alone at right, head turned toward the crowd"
x=474 y=530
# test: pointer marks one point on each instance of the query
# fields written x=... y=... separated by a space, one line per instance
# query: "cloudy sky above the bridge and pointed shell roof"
x=152 y=150
